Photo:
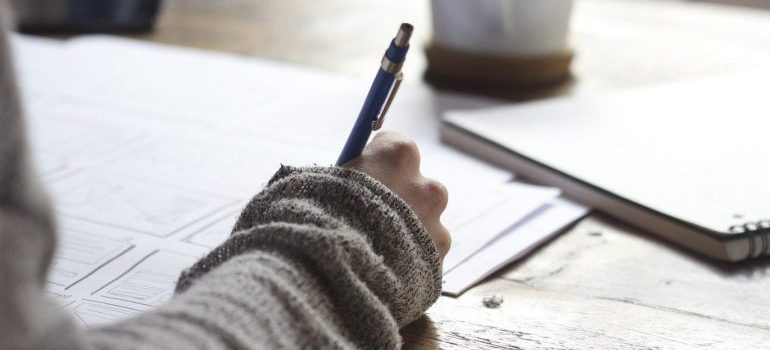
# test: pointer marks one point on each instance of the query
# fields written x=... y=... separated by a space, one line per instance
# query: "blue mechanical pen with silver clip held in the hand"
x=380 y=96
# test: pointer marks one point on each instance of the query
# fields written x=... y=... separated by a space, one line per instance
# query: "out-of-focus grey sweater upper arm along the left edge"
x=28 y=319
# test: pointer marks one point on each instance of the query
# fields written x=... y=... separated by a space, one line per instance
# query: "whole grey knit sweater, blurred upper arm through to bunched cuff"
x=321 y=258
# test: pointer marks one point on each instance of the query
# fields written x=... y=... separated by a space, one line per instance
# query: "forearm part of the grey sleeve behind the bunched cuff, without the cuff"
x=256 y=300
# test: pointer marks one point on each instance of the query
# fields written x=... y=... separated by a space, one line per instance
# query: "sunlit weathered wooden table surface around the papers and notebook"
x=602 y=284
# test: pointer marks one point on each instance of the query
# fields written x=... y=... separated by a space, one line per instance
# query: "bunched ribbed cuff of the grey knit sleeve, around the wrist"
x=340 y=198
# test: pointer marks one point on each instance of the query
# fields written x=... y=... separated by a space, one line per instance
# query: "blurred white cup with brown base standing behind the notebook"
x=500 y=42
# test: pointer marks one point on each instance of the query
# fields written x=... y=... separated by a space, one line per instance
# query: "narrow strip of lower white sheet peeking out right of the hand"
x=513 y=244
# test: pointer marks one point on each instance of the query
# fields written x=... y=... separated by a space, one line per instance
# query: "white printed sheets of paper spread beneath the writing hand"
x=150 y=152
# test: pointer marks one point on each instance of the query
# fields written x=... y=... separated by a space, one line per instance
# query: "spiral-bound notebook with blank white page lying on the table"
x=688 y=161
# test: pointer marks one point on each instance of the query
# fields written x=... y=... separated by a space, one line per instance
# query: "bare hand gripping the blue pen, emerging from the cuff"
x=394 y=160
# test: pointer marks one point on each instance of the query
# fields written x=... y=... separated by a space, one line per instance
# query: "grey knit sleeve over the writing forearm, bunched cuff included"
x=322 y=258
